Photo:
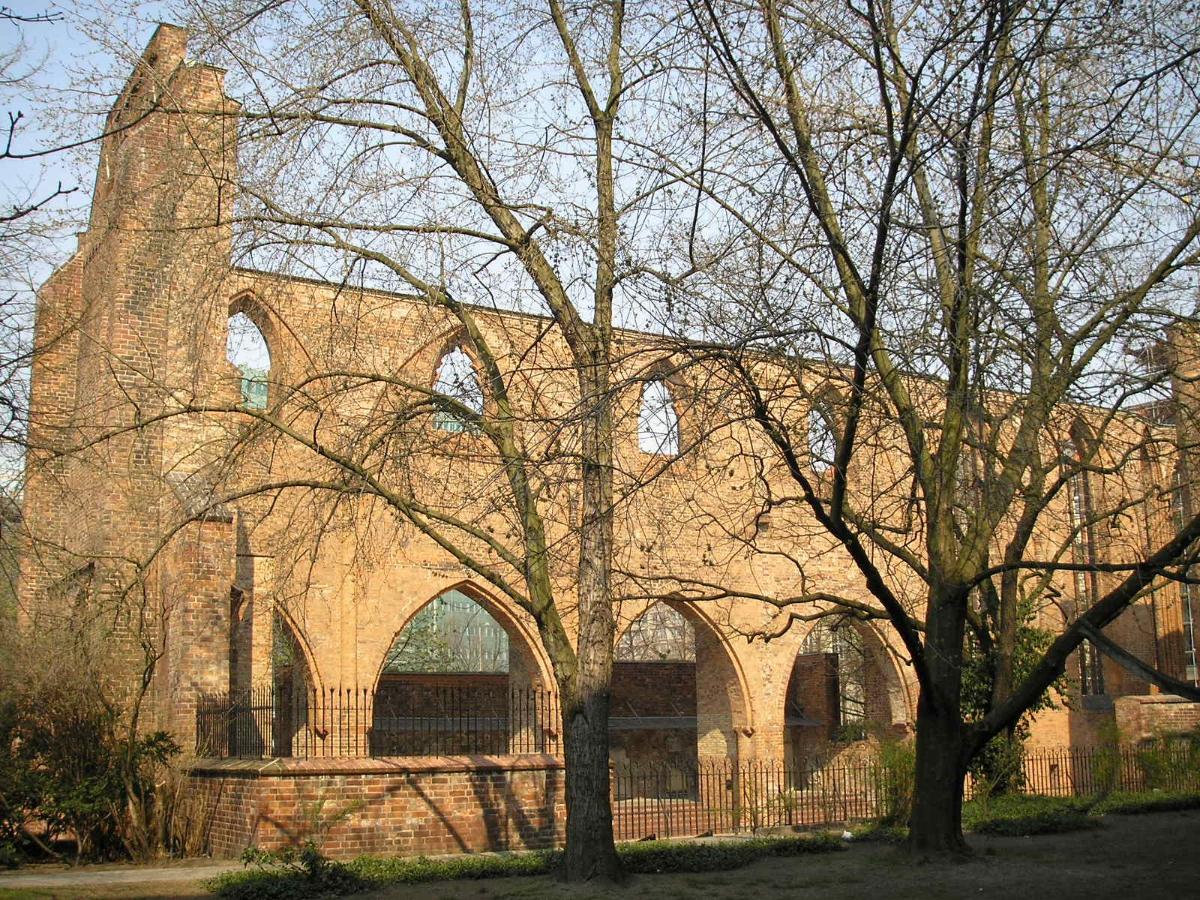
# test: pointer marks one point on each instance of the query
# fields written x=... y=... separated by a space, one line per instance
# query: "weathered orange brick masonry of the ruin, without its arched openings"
x=136 y=322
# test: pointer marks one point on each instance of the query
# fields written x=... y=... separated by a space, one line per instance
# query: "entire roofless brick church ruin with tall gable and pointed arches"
x=315 y=650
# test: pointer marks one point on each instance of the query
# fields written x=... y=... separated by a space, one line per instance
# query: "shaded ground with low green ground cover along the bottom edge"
x=1119 y=856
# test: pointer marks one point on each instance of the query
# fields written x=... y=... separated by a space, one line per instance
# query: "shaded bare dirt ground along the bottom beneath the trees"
x=1131 y=857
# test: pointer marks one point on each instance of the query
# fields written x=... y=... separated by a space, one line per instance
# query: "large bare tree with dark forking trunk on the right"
x=961 y=226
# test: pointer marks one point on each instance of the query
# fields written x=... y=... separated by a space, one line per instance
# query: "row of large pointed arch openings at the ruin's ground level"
x=679 y=694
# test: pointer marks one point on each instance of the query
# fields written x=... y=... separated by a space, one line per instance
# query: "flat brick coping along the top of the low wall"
x=375 y=766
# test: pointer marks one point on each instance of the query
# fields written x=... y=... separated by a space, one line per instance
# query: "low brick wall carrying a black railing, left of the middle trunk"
x=398 y=807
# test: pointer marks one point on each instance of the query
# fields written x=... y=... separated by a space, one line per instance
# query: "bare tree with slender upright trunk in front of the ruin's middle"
x=475 y=159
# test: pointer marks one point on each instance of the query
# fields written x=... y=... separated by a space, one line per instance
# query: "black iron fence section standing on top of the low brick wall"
x=269 y=723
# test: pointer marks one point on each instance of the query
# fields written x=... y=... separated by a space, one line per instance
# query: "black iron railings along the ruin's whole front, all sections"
x=717 y=797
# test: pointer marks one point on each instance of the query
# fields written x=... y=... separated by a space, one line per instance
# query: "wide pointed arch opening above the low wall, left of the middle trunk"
x=452 y=686
